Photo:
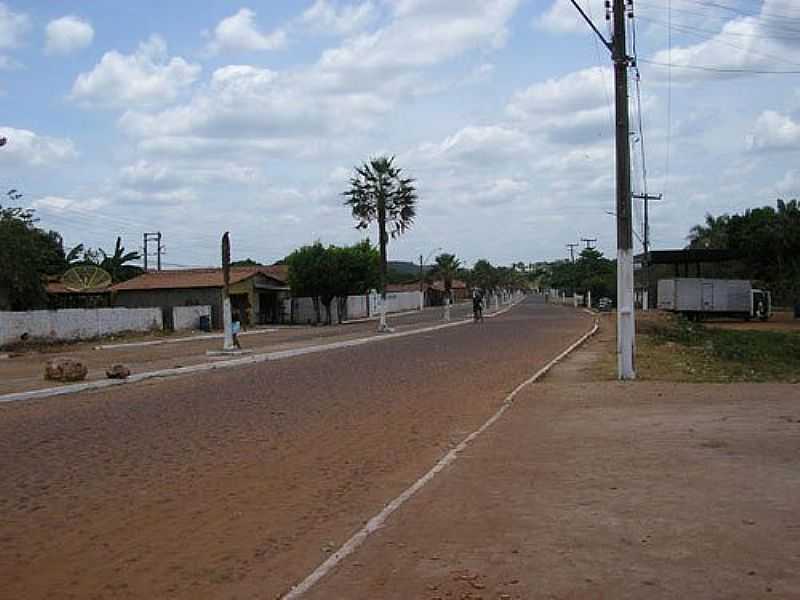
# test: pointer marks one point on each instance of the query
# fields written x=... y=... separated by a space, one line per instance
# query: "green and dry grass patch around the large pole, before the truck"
x=670 y=348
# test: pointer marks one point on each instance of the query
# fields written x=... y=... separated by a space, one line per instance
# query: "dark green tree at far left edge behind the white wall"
x=26 y=254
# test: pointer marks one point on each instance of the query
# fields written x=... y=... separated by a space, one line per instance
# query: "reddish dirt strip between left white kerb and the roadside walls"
x=25 y=372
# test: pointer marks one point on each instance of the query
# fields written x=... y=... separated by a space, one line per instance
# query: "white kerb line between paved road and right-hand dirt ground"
x=378 y=520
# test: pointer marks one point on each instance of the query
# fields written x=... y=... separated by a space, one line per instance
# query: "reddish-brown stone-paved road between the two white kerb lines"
x=236 y=484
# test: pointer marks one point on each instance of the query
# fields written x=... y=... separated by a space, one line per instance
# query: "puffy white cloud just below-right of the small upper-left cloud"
x=147 y=77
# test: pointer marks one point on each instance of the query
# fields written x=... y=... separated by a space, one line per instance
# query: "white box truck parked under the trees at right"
x=700 y=298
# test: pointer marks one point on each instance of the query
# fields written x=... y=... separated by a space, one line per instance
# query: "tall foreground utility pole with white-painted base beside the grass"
x=626 y=321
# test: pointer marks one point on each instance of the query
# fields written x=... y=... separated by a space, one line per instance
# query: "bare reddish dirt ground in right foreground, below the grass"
x=604 y=491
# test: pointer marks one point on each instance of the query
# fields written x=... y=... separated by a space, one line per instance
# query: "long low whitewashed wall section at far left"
x=76 y=323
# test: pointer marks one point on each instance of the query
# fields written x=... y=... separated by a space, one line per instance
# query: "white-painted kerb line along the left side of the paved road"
x=236 y=362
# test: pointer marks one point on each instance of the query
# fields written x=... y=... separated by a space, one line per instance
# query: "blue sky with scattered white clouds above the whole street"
x=196 y=118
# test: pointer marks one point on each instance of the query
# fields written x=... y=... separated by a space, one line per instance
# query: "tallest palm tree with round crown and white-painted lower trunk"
x=378 y=192
